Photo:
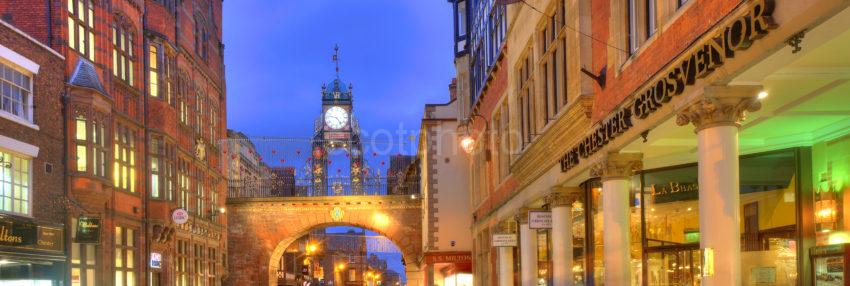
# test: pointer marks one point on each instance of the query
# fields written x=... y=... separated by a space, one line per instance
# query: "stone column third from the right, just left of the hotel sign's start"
x=561 y=203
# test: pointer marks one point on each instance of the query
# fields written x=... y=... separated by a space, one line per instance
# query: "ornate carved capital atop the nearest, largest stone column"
x=720 y=106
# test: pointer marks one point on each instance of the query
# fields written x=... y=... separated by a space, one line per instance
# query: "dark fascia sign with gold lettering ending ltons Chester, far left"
x=29 y=235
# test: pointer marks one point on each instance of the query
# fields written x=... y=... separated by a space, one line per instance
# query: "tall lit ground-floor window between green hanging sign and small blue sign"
x=125 y=256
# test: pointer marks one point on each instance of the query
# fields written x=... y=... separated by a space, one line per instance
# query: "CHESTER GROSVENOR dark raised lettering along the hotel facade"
x=698 y=63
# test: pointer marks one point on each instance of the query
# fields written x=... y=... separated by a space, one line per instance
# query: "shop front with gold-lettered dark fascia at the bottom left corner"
x=31 y=253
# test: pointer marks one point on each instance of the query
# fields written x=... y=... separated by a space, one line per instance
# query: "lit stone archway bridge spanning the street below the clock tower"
x=259 y=230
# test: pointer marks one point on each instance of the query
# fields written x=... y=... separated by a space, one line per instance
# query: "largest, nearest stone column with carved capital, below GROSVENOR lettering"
x=717 y=116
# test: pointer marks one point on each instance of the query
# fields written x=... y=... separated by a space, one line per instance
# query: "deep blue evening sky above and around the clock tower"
x=397 y=54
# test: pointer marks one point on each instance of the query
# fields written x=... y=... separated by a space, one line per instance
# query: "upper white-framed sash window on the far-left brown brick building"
x=17 y=92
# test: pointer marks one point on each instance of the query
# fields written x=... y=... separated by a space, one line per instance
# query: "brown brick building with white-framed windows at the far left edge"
x=32 y=216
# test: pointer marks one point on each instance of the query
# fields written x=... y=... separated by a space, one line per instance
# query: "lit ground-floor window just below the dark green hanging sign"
x=83 y=261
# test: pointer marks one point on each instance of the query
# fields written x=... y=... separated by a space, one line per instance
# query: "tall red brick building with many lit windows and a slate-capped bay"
x=144 y=104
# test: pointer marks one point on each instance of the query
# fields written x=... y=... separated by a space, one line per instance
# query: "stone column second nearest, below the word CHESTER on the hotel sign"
x=615 y=170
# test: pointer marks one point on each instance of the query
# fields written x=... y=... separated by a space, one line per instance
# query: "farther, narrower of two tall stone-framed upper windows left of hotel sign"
x=526 y=99
